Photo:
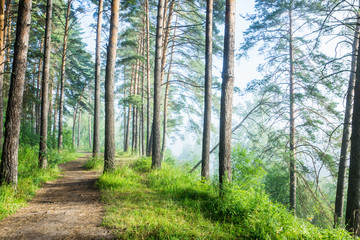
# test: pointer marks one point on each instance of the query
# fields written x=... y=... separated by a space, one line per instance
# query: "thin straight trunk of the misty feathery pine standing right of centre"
x=292 y=119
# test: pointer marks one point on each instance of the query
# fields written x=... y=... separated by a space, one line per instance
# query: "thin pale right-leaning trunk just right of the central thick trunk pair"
x=166 y=97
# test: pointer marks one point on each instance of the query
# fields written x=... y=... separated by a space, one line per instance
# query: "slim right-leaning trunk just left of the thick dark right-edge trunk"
x=340 y=189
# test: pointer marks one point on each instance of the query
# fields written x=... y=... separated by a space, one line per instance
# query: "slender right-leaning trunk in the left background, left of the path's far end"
x=62 y=77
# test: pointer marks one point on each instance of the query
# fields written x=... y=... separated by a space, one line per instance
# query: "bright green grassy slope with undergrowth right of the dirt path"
x=172 y=204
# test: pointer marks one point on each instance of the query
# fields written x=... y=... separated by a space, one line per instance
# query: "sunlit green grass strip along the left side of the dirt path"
x=30 y=178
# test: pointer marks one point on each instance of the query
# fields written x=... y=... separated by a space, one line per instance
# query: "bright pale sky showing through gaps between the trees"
x=245 y=69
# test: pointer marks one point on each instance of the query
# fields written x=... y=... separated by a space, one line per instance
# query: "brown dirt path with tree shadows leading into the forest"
x=67 y=208
